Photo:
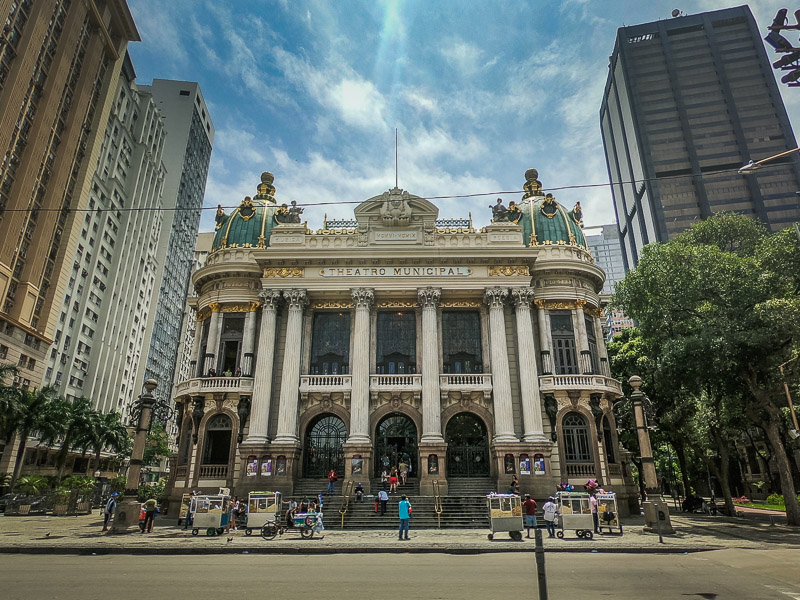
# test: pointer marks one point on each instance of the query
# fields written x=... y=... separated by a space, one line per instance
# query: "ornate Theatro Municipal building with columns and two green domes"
x=396 y=339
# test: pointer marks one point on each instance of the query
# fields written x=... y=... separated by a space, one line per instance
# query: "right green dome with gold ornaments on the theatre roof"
x=545 y=221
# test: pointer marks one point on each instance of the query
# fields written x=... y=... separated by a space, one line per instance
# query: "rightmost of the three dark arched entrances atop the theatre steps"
x=467 y=446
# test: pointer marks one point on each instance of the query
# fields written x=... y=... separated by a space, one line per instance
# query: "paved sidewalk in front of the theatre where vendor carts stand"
x=82 y=535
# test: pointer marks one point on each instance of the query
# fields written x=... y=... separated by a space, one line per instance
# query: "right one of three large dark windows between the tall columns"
x=461 y=342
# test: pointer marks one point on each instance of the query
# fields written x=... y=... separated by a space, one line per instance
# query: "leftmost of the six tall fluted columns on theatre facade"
x=262 y=384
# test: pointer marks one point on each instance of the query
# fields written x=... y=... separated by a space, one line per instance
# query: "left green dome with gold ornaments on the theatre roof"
x=250 y=224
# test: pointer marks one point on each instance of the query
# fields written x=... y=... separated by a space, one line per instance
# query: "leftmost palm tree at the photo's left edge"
x=30 y=411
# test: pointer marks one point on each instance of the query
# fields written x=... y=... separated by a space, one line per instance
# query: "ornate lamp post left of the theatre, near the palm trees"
x=126 y=516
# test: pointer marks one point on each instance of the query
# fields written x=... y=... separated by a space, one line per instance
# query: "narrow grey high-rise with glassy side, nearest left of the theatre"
x=187 y=152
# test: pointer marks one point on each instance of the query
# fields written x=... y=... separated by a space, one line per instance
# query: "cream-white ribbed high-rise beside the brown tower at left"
x=102 y=322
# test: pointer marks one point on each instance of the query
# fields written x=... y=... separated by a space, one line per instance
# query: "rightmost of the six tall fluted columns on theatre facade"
x=532 y=429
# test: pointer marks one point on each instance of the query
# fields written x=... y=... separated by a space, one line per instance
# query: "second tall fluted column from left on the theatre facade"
x=296 y=301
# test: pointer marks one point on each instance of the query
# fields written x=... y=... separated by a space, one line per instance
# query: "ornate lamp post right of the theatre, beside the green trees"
x=656 y=511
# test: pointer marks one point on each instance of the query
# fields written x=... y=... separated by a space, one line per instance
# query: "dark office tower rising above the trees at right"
x=687 y=102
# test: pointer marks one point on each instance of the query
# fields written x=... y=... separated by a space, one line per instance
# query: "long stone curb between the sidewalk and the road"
x=303 y=550
